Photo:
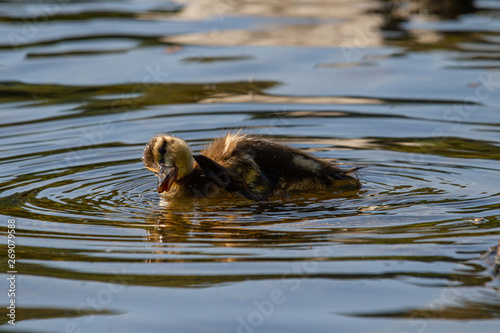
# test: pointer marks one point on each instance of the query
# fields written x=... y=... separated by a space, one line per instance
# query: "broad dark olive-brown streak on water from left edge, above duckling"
x=96 y=100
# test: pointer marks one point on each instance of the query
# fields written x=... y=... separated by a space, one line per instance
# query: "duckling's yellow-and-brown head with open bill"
x=169 y=158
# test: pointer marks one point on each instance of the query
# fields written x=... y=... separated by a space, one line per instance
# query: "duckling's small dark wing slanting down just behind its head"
x=227 y=179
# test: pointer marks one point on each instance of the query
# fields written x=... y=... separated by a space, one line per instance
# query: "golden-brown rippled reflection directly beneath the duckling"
x=237 y=222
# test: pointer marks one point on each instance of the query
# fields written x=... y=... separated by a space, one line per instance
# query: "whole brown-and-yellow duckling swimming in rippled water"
x=254 y=167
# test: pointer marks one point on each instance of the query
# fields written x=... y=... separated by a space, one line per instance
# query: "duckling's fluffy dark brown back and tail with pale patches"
x=267 y=166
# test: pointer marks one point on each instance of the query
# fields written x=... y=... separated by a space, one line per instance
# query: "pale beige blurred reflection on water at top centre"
x=320 y=23
